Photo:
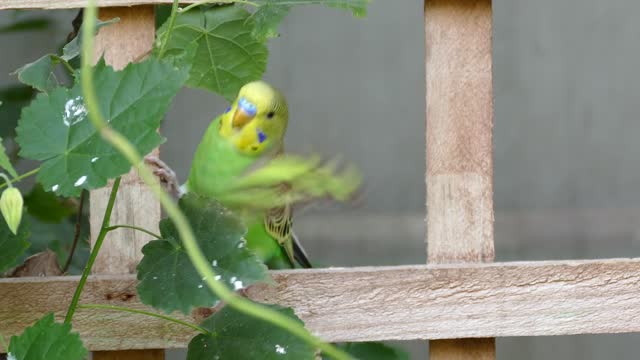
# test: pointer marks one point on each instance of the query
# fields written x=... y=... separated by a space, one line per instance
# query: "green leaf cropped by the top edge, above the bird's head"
x=270 y=13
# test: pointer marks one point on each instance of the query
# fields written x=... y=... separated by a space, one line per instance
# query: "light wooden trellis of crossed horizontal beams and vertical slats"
x=445 y=299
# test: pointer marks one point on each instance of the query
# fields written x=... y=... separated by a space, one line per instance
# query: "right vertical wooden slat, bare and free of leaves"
x=459 y=149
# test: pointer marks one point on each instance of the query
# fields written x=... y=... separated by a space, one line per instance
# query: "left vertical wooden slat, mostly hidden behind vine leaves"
x=121 y=43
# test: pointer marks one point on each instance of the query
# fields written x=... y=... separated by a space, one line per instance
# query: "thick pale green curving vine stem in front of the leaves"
x=179 y=220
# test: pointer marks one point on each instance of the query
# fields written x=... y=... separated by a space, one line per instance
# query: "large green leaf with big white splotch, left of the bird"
x=55 y=128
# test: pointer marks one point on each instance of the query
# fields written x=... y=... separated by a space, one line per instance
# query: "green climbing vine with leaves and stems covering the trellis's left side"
x=81 y=143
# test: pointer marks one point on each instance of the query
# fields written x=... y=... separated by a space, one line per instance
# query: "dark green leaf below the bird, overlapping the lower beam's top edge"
x=168 y=280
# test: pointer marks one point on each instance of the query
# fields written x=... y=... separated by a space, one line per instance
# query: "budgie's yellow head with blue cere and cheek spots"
x=257 y=120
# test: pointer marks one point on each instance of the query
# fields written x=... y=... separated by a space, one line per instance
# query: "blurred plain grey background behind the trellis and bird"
x=565 y=136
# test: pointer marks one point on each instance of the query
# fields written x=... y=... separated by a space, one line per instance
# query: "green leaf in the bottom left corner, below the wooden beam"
x=48 y=340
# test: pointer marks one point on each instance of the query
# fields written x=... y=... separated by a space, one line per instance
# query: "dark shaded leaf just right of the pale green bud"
x=47 y=207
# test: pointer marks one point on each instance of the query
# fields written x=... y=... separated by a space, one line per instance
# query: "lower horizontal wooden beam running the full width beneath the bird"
x=370 y=303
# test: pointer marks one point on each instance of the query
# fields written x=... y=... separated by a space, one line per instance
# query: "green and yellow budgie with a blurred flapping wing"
x=240 y=163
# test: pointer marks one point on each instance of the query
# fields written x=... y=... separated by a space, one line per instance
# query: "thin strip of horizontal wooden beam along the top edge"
x=70 y=4
